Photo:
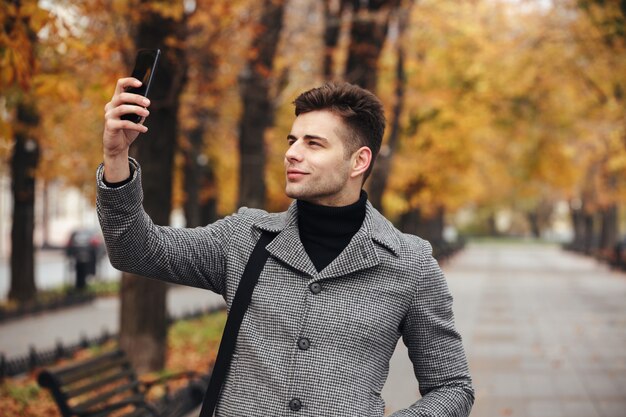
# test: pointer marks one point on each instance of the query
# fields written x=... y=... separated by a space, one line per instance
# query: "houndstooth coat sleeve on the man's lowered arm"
x=435 y=347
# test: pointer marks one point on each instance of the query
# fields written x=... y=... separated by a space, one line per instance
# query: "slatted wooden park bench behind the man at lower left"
x=107 y=384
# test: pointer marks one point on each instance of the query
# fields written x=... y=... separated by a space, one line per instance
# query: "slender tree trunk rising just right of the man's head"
x=382 y=166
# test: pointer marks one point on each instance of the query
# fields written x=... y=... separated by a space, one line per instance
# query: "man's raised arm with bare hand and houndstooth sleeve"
x=194 y=257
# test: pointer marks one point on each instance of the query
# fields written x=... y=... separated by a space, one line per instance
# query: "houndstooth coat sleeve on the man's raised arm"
x=194 y=257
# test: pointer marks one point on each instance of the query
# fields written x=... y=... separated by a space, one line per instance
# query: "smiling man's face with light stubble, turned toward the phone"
x=317 y=166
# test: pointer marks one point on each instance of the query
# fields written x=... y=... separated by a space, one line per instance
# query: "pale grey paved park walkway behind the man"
x=544 y=330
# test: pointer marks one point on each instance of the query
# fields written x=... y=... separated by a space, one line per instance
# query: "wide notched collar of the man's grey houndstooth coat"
x=359 y=254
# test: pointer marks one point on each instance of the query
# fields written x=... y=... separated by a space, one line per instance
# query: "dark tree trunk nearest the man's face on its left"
x=258 y=109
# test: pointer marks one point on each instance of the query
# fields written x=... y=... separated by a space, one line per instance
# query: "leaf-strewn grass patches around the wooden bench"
x=192 y=346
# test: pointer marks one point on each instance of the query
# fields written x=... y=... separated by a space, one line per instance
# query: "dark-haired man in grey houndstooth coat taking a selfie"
x=339 y=289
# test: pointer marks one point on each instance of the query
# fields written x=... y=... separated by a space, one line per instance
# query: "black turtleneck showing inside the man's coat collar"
x=326 y=231
